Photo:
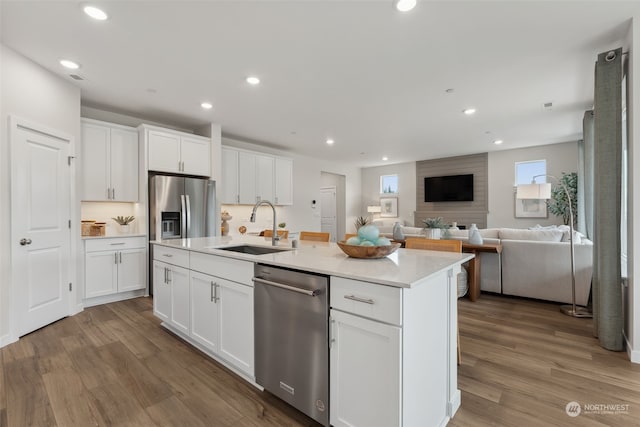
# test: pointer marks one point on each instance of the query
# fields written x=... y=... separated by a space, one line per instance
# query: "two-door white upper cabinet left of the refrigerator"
x=109 y=162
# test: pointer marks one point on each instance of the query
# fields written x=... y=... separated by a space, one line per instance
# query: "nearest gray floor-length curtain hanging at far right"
x=607 y=291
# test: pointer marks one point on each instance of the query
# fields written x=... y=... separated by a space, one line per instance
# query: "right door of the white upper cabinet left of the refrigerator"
x=124 y=165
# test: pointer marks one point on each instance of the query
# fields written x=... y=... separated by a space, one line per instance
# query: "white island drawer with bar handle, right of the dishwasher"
x=377 y=302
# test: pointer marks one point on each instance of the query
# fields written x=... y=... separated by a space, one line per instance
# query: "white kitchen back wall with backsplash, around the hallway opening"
x=306 y=187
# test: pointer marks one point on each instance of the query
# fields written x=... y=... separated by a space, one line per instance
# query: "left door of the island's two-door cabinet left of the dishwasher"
x=204 y=309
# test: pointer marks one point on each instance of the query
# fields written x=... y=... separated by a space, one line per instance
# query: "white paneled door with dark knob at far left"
x=40 y=225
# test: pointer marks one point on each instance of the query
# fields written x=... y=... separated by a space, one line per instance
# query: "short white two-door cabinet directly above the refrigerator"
x=176 y=152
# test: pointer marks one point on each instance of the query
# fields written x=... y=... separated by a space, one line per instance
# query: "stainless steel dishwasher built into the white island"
x=291 y=338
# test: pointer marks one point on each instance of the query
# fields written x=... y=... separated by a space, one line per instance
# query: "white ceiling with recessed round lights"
x=359 y=72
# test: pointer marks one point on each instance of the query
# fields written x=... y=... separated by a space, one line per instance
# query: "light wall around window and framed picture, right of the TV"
x=560 y=158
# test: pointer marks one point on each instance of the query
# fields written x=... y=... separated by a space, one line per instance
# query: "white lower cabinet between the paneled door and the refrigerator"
x=114 y=265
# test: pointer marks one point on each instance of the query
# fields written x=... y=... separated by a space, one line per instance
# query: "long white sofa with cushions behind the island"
x=534 y=263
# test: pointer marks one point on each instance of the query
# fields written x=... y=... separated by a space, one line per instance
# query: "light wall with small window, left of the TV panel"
x=406 y=189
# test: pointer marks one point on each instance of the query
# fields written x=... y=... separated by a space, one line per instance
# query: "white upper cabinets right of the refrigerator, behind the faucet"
x=249 y=177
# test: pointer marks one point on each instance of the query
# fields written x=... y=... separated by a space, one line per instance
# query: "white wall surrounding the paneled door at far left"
x=31 y=92
